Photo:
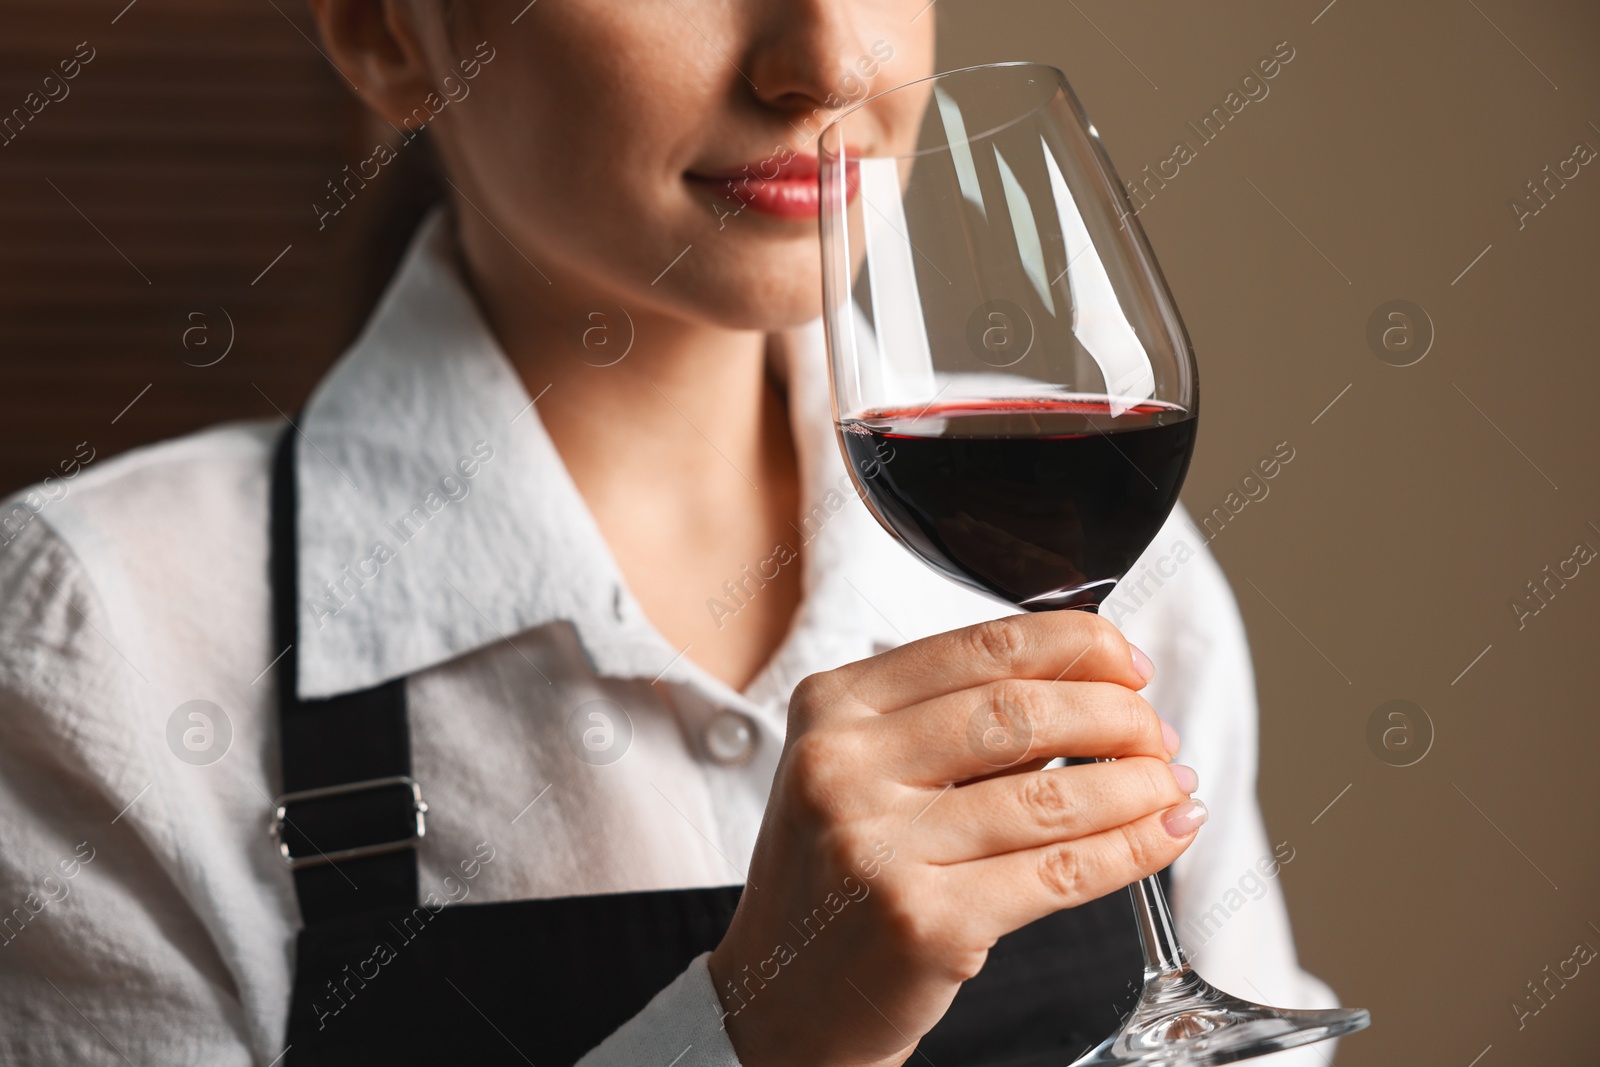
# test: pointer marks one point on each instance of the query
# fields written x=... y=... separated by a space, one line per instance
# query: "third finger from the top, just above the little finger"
x=1025 y=812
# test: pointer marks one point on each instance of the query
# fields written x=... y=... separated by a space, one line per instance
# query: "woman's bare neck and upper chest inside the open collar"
x=673 y=433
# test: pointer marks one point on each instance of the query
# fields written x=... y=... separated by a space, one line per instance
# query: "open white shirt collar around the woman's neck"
x=436 y=516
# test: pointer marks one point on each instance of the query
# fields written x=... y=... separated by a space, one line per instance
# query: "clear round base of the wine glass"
x=1185 y=1021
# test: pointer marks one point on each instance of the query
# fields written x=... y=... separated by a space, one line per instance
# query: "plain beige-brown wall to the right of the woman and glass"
x=1388 y=553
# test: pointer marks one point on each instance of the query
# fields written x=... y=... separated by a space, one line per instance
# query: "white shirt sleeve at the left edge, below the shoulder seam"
x=103 y=959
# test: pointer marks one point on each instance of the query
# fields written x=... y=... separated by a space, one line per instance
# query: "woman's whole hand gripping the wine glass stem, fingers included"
x=910 y=829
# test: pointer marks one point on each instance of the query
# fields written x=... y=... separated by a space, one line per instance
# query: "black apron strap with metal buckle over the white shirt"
x=351 y=817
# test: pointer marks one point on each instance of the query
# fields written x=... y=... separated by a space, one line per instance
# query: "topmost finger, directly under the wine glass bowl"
x=1050 y=645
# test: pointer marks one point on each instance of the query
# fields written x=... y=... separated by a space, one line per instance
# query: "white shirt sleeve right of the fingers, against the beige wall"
x=1228 y=895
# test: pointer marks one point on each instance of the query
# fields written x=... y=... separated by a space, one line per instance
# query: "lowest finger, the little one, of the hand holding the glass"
x=1017 y=889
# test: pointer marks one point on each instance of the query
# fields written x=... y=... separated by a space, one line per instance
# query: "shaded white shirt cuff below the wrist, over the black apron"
x=681 y=1026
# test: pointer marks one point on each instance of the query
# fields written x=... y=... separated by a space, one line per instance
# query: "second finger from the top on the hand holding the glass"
x=1004 y=724
